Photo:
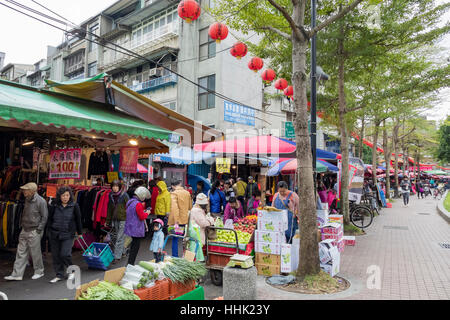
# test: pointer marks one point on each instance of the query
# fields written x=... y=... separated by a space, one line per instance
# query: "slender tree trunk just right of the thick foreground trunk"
x=343 y=130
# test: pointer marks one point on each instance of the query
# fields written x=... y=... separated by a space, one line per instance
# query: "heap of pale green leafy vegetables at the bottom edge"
x=108 y=291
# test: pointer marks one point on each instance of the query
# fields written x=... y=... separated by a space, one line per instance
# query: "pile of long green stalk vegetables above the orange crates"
x=181 y=270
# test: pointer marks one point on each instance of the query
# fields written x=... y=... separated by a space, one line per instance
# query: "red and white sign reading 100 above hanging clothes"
x=65 y=164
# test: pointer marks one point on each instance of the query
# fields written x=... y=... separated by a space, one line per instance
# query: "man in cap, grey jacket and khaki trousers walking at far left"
x=34 y=218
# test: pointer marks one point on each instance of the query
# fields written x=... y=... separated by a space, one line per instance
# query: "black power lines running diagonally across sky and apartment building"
x=128 y=52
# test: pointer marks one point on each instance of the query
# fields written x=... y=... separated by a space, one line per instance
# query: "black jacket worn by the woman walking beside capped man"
x=64 y=221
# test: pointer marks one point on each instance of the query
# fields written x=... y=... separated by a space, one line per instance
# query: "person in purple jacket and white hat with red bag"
x=135 y=225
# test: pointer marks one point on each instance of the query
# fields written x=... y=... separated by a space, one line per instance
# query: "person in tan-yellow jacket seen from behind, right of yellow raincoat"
x=179 y=212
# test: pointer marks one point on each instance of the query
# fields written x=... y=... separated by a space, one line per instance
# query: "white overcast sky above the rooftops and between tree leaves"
x=25 y=40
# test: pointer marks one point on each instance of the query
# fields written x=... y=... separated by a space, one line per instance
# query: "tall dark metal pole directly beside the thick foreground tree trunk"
x=313 y=86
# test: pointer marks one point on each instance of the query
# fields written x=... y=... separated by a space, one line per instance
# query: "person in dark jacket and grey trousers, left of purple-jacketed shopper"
x=116 y=217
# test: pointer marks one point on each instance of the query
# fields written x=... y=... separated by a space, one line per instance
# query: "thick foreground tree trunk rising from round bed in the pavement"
x=309 y=248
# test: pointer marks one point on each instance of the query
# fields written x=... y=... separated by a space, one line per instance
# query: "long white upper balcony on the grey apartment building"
x=142 y=45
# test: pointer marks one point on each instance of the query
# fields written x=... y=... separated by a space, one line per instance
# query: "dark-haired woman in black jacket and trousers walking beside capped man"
x=64 y=219
